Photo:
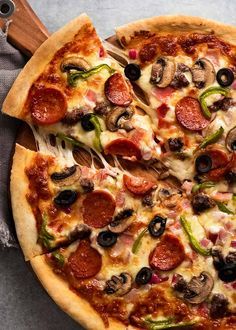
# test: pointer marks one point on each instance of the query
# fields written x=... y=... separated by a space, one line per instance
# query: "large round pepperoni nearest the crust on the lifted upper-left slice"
x=47 y=106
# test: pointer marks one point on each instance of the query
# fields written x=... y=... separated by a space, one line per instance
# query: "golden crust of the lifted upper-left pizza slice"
x=17 y=96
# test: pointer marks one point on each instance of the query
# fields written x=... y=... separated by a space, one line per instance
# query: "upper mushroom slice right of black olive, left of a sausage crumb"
x=163 y=72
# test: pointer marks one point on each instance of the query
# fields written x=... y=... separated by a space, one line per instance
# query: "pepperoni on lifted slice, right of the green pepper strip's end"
x=117 y=90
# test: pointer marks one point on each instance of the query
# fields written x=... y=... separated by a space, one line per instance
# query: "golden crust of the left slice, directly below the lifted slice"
x=22 y=213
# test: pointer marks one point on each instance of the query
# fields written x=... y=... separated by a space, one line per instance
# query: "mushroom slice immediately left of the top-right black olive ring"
x=203 y=73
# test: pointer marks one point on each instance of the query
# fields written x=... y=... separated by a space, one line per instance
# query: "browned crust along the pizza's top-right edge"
x=173 y=24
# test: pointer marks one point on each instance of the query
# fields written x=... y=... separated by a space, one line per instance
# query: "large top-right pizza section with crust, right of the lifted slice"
x=186 y=68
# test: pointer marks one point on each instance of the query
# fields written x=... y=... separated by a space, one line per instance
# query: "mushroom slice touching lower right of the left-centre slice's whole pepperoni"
x=121 y=221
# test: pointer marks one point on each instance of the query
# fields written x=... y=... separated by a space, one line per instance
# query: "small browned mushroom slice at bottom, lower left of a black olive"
x=119 y=285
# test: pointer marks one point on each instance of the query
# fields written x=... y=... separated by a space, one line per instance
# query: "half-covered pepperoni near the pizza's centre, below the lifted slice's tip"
x=138 y=185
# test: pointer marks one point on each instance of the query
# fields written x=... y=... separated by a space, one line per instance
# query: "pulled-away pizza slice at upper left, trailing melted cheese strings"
x=73 y=90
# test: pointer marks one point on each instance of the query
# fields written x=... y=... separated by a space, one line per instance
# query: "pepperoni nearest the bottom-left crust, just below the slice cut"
x=85 y=262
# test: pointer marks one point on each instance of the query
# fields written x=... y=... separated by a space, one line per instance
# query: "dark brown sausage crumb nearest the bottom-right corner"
x=219 y=306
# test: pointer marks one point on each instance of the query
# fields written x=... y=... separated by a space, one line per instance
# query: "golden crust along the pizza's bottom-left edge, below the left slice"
x=78 y=308
